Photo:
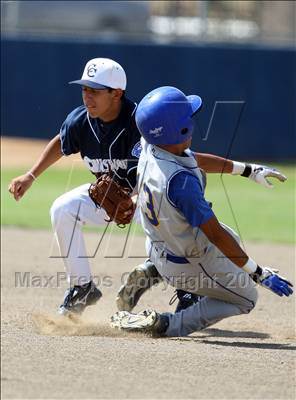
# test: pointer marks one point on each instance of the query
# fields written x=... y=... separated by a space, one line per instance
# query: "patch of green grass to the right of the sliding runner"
x=256 y=212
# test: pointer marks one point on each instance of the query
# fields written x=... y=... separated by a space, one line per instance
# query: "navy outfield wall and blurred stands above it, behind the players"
x=239 y=56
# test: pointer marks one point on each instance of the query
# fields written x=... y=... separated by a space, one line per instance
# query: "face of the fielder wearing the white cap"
x=100 y=103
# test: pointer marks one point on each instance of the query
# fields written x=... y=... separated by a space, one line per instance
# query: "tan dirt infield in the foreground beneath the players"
x=47 y=357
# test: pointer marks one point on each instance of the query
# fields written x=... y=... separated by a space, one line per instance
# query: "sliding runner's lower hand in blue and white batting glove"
x=270 y=279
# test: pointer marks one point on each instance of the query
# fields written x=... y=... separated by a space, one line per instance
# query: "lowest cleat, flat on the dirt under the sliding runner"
x=147 y=321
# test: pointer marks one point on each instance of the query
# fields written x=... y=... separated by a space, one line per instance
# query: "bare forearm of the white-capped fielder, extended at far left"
x=49 y=156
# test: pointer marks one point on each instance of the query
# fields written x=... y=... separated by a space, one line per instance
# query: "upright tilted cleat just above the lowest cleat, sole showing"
x=139 y=280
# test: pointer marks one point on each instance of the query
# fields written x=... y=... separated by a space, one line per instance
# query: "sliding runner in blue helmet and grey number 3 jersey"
x=190 y=248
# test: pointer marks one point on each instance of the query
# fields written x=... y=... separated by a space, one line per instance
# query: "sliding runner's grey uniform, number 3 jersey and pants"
x=182 y=254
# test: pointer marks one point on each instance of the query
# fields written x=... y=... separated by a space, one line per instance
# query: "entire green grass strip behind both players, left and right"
x=258 y=213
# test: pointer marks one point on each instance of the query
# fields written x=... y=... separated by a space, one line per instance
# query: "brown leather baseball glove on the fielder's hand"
x=114 y=198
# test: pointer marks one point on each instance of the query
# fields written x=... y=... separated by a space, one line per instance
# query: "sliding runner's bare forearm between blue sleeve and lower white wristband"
x=224 y=241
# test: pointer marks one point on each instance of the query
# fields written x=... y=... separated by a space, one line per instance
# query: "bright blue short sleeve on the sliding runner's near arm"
x=186 y=194
